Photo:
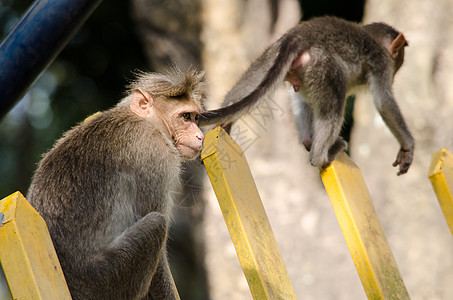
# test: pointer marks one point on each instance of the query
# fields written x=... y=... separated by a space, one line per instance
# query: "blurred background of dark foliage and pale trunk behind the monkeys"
x=223 y=37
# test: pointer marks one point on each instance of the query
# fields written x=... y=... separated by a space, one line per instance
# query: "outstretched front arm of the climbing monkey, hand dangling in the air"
x=391 y=114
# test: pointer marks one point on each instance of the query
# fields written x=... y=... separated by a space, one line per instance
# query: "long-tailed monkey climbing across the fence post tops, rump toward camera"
x=325 y=59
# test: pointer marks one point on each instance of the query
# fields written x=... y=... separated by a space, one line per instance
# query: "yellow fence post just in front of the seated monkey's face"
x=245 y=217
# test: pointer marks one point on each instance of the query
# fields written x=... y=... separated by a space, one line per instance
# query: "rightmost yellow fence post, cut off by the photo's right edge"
x=441 y=176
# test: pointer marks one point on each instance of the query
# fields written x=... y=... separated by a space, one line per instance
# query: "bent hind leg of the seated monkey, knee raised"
x=125 y=269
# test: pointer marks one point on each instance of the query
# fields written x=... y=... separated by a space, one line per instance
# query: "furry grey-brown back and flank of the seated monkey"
x=97 y=172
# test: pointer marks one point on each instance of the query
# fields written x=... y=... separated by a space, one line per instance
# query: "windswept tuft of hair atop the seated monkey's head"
x=174 y=84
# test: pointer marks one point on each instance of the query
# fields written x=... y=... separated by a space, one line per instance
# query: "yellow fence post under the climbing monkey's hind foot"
x=362 y=230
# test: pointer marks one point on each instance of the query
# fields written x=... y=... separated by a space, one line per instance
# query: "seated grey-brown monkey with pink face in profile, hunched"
x=105 y=189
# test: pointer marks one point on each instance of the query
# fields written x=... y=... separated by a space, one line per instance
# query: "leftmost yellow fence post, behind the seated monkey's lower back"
x=27 y=254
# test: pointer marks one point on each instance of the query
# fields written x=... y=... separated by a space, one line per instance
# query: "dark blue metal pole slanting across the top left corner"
x=35 y=42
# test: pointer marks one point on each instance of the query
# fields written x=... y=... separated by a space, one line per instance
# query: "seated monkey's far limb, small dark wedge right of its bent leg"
x=162 y=284
